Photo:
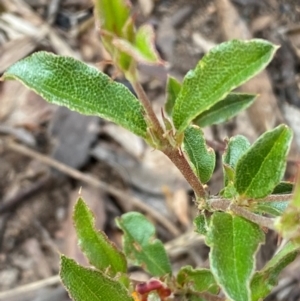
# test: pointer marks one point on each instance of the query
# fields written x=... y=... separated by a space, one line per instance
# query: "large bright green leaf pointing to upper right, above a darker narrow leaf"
x=224 y=68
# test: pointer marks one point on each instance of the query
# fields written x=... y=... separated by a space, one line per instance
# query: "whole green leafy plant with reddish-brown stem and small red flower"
x=253 y=198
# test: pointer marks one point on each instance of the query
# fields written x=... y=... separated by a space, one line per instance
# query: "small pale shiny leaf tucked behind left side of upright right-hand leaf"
x=236 y=147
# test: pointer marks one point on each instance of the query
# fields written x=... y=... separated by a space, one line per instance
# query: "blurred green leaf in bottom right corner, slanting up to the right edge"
x=264 y=280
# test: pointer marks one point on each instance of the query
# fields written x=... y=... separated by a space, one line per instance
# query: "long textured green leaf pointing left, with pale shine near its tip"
x=71 y=83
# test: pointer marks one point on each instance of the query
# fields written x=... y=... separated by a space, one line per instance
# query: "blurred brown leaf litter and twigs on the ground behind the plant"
x=48 y=153
